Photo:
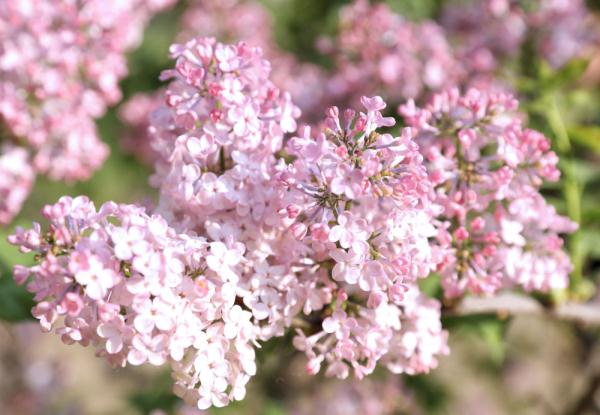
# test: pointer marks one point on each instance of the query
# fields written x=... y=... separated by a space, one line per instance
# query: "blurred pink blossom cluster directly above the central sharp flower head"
x=378 y=51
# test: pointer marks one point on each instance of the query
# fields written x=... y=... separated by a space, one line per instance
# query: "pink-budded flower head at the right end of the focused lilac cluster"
x=495 y=228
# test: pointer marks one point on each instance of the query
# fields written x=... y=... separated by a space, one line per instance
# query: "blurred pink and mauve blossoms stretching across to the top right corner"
x=376 y=50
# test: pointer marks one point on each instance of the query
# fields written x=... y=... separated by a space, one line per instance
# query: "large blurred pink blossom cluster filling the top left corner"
x=60 y=64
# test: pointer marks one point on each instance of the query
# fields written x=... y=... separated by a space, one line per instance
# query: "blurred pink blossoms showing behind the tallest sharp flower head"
x=226 y=21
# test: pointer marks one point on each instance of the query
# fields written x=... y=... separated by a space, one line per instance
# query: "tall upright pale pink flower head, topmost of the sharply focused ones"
x=222 y=115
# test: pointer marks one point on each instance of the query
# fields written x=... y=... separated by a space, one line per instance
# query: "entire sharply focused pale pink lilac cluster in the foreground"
x=324 y=234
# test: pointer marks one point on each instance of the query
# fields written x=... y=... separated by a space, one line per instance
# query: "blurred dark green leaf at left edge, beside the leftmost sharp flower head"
x=15 y=301
